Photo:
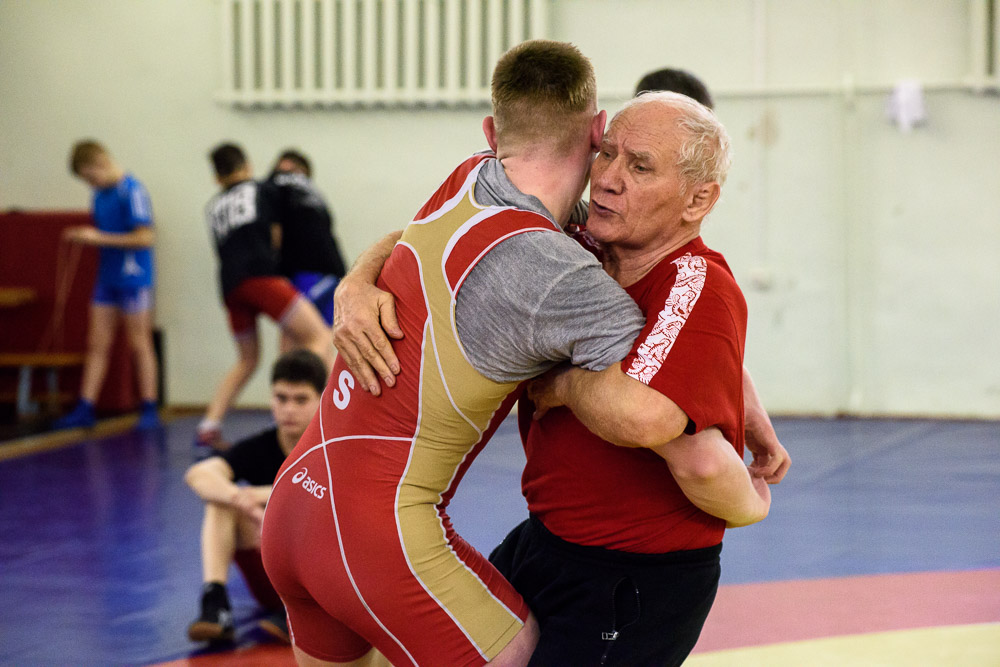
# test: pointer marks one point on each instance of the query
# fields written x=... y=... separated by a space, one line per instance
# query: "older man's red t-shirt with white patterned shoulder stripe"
x=591 y=492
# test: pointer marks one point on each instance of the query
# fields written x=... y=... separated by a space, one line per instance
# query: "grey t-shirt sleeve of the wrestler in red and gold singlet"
x=538 y=299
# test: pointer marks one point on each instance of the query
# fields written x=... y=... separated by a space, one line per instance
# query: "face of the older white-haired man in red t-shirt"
x=635 y=187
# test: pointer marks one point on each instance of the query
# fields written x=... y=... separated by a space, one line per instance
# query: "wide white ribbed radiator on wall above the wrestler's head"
x=288 y=53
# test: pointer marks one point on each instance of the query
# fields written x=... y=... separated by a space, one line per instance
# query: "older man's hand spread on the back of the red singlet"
x=363 y=317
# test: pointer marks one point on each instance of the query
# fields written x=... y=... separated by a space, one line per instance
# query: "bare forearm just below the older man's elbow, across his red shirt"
x=714 y=478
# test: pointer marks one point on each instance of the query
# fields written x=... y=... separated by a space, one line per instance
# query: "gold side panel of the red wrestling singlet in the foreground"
x=457 y=404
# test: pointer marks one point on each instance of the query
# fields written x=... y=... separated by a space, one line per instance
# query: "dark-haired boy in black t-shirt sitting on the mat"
x=231 y=527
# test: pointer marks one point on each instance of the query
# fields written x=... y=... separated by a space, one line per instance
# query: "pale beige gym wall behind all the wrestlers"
x=868 y=256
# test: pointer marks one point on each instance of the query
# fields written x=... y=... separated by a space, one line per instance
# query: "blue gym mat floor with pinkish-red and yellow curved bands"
x=882 y=548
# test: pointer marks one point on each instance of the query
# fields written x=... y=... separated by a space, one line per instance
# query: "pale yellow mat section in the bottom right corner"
x=948 y=646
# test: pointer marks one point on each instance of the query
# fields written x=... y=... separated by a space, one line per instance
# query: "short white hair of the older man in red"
x=704 y=155
